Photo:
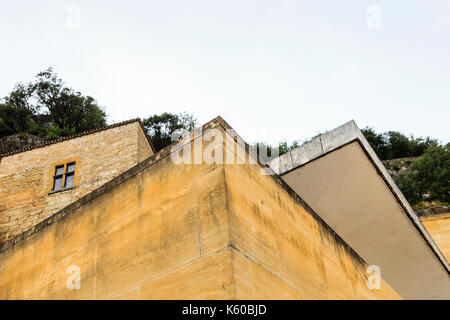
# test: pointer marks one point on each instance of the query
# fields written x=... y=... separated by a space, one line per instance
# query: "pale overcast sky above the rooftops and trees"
x=273 y=70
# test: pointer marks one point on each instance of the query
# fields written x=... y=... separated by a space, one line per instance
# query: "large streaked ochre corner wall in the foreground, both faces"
x=186 y=231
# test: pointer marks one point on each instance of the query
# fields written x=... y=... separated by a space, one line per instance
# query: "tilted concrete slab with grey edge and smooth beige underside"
x=339 y=175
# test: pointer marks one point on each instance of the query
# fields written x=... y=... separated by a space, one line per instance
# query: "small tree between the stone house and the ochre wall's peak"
x=161 y=128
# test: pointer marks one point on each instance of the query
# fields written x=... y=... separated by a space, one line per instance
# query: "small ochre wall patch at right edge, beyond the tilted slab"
x=438 y=226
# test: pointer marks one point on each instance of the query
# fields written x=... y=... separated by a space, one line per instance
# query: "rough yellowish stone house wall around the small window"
x=27 y=177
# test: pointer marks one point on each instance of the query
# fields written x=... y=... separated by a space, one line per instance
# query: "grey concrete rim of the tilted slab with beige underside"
x=335 y=139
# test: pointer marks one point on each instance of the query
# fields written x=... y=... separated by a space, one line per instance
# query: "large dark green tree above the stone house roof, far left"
x=46 y=107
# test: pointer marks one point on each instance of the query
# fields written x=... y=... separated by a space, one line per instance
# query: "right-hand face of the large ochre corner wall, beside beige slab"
x=285 y=251
